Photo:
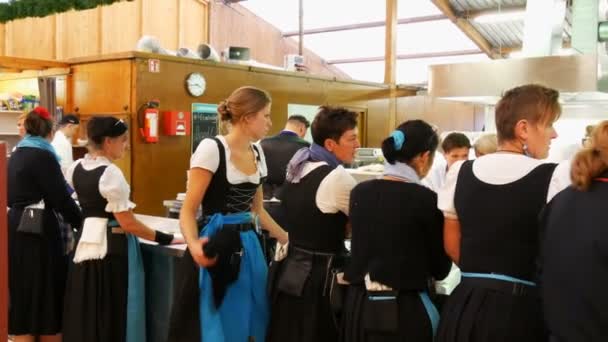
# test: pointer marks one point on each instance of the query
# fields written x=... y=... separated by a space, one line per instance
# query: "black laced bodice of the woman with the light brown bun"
x=224 y=197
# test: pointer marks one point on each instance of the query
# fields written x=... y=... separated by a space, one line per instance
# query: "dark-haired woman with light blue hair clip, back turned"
x=397 y=244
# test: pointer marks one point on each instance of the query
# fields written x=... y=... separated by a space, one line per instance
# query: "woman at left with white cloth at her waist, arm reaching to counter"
x=105 y=291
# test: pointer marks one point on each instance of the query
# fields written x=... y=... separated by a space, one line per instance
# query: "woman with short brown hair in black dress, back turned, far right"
x=491 y=207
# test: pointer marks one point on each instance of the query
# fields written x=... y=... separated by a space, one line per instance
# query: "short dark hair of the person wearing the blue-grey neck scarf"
x=331 y=123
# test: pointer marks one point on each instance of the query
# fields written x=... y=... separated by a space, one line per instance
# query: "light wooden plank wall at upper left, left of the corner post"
x=107 y=29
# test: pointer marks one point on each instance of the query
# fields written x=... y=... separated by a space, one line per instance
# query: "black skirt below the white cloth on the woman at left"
x=96 y=297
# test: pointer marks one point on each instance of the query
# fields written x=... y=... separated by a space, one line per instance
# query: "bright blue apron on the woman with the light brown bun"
x=245 y=309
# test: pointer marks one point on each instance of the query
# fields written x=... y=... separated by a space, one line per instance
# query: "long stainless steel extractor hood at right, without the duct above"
x=579 y=78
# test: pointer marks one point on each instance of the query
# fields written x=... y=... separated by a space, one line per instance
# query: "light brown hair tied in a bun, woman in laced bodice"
x=243 y=102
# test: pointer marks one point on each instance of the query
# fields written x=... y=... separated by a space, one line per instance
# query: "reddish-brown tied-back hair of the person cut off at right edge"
x=592 y=160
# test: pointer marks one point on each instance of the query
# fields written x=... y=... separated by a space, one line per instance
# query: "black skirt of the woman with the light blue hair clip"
x=413 y=323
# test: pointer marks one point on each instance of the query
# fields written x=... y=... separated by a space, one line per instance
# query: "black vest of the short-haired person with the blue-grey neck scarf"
x=308 y=227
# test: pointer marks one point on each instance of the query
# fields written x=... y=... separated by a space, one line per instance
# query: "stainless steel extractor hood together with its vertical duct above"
x=580 y=78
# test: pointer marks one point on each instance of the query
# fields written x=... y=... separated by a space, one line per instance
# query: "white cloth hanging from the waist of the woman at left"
x=93 y=243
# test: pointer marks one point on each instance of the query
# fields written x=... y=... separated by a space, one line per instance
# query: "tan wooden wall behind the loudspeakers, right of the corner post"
x=237 y=26
